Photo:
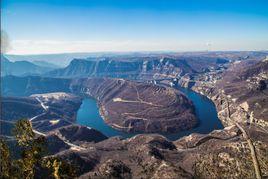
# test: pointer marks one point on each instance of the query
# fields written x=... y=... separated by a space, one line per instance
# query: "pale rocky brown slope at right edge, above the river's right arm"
x=239 y=93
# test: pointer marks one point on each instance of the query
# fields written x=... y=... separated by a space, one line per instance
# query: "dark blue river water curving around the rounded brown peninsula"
x=88 y=115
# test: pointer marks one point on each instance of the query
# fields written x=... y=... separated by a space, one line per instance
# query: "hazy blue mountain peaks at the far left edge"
x=23 y=68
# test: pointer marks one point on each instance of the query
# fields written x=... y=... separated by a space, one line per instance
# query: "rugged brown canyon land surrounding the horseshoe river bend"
x=235 y=81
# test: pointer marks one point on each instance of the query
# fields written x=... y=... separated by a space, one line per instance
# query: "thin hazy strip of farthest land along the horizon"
x=64 y=59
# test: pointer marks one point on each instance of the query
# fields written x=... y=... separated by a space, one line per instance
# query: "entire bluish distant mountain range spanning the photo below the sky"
x=121 y=65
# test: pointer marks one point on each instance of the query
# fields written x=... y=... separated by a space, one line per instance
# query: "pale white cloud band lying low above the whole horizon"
x=58 y=46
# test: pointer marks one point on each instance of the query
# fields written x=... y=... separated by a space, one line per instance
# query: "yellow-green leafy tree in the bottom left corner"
x=32 y=160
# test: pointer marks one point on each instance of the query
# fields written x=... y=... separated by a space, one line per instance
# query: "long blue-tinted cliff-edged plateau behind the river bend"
x=137 y=67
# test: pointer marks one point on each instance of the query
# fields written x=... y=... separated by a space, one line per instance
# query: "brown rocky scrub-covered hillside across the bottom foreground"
x=219 y=154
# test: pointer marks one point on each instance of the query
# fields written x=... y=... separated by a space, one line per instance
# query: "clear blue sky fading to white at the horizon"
x=56 y=26
